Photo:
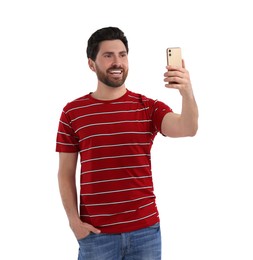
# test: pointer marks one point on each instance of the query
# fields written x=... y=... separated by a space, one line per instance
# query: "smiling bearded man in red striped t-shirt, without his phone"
x=112 y=129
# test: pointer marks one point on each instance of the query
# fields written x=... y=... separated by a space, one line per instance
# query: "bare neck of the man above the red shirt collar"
x=109 y=93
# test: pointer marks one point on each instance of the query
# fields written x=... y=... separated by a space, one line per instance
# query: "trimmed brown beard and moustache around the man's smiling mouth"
x=105 y=77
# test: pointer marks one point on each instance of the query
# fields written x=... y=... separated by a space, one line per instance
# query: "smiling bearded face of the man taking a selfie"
x=111 y=64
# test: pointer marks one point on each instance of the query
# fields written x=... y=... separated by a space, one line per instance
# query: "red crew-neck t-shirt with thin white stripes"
x=114 y=139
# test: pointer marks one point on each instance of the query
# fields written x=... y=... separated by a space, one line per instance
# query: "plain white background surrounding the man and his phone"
x=203 y=184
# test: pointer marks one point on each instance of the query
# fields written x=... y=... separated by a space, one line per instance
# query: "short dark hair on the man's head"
x=104 y=34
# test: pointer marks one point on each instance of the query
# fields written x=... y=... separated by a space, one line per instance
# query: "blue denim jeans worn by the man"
x=142 y=244
